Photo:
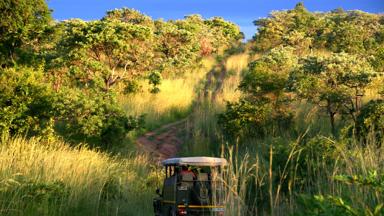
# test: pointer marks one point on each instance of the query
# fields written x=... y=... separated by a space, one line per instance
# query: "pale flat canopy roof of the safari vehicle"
x=195 y=161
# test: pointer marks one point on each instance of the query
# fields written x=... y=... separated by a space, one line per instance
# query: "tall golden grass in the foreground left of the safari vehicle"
x=41 y=178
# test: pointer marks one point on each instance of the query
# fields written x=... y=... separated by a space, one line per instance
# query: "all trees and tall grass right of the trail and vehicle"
x=310 y=133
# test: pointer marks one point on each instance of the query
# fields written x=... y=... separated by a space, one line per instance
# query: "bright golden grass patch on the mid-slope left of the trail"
x=172 y=102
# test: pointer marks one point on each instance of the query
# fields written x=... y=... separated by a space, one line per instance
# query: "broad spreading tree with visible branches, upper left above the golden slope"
x=101 y=53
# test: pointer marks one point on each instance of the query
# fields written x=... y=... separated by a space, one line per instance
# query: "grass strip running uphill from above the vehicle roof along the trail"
x=204 y=136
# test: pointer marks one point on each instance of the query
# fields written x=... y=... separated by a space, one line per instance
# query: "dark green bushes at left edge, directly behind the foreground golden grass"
x=29 y=107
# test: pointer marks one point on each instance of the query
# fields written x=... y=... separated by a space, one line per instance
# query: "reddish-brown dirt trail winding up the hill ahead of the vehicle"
x=166 y=141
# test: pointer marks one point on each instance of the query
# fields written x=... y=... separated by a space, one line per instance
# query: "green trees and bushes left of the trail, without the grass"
x=62 y=78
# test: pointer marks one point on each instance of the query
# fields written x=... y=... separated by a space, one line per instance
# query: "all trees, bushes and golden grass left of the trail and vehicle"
x=74 y=89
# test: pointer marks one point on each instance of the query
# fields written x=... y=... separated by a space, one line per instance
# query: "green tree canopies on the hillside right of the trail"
x=326 y=59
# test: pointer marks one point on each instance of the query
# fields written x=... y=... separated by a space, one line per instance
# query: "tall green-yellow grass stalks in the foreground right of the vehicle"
x=255 y=186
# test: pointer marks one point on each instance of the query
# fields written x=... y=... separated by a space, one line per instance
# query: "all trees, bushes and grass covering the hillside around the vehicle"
x=298 y=111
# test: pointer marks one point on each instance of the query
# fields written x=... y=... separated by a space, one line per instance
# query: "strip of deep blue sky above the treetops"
x=242 y=12
